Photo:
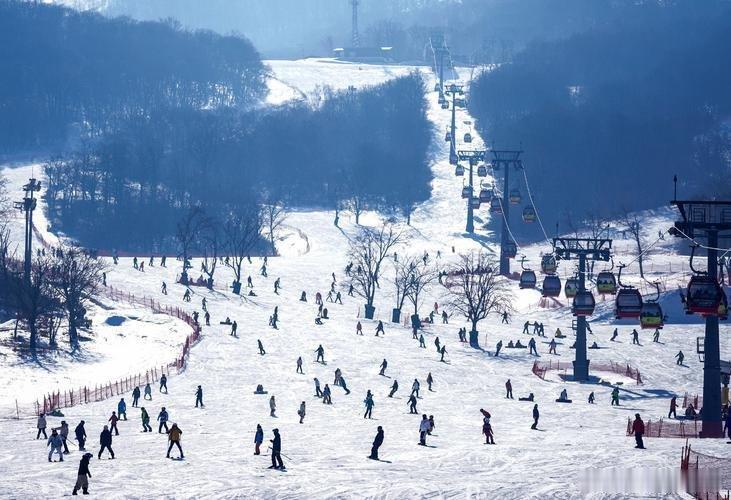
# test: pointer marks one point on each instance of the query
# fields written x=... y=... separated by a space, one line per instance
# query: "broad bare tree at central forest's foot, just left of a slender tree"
x=242 y=234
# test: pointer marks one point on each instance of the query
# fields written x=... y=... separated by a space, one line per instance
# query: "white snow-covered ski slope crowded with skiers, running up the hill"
x=326 y=454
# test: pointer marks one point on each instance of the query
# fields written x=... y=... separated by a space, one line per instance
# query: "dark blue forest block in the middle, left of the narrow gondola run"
x=348 y=149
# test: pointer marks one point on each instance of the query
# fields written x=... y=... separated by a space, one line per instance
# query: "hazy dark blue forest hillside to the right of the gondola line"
x=608 y=116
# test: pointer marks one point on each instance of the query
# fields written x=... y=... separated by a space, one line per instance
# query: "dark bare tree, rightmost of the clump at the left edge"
x=76 y=277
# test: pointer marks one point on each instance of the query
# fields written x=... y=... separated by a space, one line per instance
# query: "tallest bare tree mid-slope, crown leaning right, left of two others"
x=367 y=252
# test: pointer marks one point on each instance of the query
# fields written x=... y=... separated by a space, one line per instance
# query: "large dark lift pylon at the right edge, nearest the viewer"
x=706 y=219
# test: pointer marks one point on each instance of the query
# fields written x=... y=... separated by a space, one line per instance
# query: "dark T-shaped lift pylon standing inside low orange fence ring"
x=583 y=249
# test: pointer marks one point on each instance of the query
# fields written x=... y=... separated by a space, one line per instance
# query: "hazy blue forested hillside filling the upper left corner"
x=65 y=74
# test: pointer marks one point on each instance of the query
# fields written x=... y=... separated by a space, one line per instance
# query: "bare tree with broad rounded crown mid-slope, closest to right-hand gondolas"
x=476 y=289
